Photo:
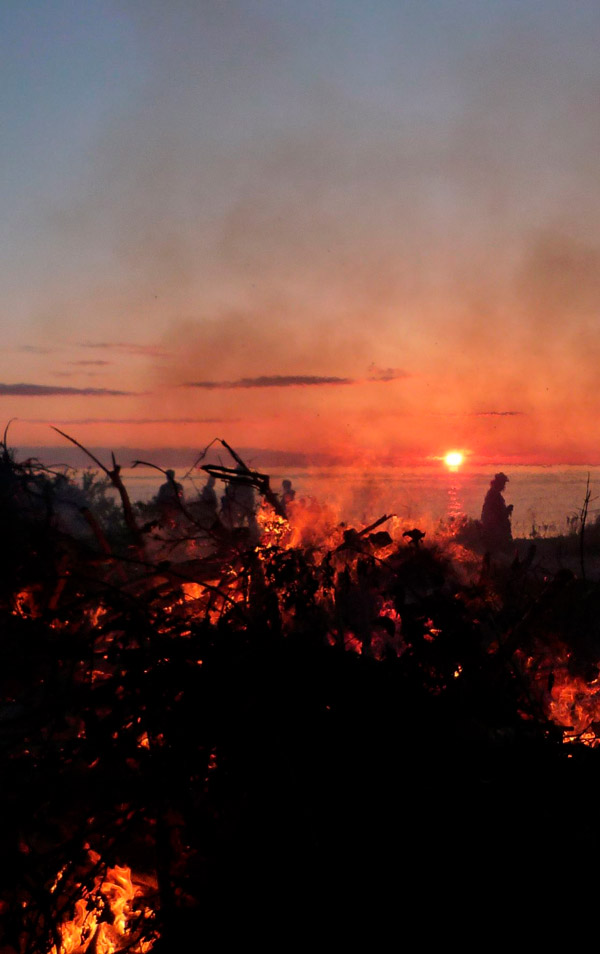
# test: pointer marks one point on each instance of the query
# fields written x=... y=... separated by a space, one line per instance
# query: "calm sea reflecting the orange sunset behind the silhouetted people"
x=547 y=501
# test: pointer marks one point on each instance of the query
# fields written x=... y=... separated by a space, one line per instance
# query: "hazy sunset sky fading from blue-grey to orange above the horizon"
x=369 y=230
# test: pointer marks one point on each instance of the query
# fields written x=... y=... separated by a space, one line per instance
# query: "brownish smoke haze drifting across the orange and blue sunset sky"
x=291 y=195
